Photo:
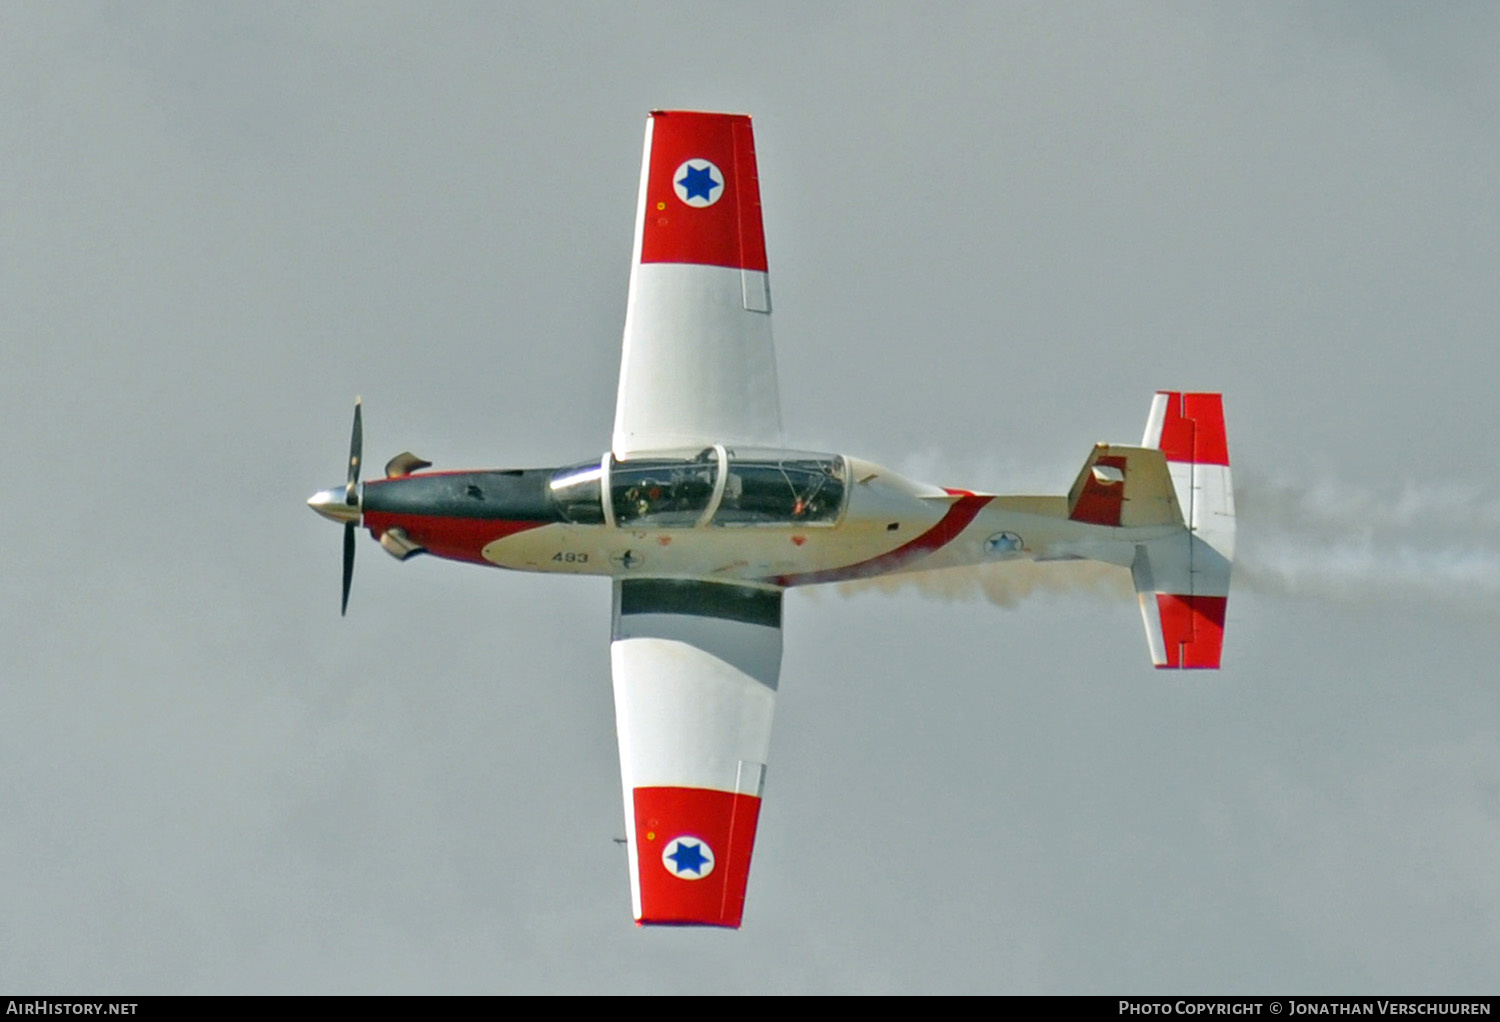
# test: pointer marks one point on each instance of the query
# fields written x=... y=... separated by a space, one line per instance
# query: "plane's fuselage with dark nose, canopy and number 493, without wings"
x=775 y=519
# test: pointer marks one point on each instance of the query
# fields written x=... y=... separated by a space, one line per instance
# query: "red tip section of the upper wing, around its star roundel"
x=727 y=233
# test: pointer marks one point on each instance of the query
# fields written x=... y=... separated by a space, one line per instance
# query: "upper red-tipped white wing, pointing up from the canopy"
x=698 y=367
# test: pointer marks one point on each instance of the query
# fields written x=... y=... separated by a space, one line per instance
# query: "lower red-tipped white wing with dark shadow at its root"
x=695 y=669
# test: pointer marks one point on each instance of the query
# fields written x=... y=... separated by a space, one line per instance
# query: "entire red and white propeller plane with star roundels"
x=704 y=520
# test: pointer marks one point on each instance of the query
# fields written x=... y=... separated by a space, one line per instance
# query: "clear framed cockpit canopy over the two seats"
x=718 y=487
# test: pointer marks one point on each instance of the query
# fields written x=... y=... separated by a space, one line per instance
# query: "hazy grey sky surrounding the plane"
x=994 y=232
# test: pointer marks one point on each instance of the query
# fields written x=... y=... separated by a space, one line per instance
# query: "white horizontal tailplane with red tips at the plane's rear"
x=1183 y=582
